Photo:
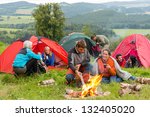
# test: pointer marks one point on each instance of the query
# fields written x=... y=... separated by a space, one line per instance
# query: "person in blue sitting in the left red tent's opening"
x=48 y=57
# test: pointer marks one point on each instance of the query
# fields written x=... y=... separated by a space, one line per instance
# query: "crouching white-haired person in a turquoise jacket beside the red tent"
x=26 y=60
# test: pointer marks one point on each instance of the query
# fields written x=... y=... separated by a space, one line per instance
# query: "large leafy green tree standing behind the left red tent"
x=49 y=21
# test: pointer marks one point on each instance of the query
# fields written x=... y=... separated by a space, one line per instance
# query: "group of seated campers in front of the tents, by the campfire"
x=79 y=66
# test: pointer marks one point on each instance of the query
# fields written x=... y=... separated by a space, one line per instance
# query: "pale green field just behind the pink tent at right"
x=126 y=32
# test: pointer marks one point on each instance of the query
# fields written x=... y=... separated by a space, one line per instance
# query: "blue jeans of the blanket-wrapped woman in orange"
x=111 y=79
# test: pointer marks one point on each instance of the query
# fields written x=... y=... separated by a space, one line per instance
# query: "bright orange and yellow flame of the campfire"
x=91 y=87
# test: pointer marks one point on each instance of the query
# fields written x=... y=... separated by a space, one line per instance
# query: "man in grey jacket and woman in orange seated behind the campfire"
x=81 y=68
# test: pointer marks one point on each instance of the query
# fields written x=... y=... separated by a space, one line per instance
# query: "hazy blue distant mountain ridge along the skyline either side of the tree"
x=75 y=9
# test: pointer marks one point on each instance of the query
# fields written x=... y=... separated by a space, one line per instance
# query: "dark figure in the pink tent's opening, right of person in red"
x=132 y=62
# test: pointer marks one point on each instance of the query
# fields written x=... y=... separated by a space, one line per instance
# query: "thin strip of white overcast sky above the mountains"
x=68 y=1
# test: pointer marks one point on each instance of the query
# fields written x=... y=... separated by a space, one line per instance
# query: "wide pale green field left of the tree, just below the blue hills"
x=16 y=19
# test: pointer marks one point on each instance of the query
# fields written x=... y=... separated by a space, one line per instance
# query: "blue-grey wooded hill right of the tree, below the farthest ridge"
x=112 y=19
